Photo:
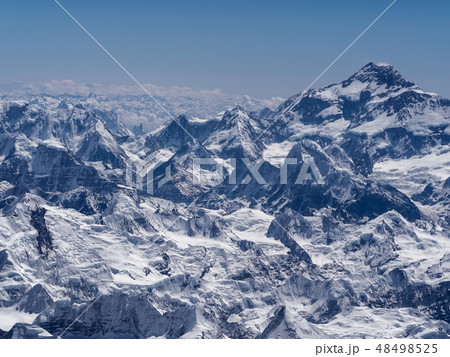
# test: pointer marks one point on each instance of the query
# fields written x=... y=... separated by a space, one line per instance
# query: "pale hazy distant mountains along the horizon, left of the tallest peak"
x=137 y=110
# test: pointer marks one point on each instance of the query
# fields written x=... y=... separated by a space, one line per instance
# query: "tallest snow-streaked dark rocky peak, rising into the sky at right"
x=374 y=114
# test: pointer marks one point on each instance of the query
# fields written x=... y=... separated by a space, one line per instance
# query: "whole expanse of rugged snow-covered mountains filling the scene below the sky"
x=365 y=252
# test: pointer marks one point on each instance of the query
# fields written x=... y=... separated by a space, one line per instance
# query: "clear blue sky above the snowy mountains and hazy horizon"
x=262 y=48
